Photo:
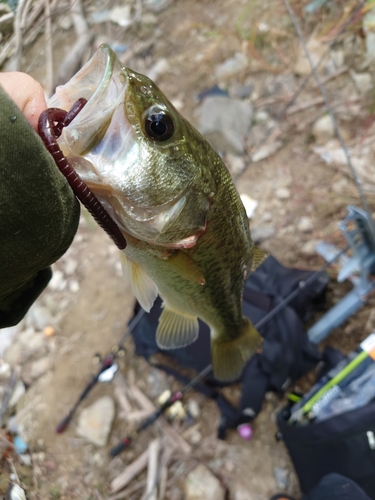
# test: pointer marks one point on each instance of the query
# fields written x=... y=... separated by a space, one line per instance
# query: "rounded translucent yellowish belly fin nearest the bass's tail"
x=176 y=329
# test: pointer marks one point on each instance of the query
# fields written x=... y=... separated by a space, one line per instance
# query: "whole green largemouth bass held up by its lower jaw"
x=187 y=233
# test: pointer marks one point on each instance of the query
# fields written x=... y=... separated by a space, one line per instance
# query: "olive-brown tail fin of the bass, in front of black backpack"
x=230 y=355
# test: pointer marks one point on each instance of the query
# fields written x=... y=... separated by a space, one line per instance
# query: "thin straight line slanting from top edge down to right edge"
x=329 y=108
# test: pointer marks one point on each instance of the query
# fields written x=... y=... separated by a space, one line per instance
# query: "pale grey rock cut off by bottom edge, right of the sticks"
x=202 y=484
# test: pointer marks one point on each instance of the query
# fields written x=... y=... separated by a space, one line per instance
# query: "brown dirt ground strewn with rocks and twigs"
x=92 y=304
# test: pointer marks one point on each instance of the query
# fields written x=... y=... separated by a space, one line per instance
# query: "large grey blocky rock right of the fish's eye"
x=225 y=122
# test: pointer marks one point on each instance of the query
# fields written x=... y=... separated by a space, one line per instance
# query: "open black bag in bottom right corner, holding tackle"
x=344 y=444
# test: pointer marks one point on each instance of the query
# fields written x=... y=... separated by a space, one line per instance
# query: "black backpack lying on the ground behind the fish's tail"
x=286 y=354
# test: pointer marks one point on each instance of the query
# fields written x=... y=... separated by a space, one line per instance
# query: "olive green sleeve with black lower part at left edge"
x=38 y=214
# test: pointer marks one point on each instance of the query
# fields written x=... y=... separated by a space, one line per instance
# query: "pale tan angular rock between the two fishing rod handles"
x=95 y=421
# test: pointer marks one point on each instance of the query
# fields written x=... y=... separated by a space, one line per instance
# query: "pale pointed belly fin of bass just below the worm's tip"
x=142 y=285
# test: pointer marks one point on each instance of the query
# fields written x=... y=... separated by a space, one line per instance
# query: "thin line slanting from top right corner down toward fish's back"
x=302 y=86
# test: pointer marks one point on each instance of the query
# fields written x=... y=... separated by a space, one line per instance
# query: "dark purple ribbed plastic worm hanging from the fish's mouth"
x=49 y=132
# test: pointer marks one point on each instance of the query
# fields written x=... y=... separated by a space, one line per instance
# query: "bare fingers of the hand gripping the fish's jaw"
x=26 y=93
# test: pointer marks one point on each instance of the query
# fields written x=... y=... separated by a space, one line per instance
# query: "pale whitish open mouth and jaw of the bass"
x=103 y=82
